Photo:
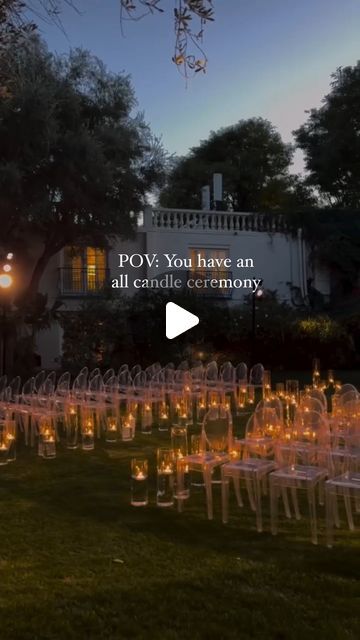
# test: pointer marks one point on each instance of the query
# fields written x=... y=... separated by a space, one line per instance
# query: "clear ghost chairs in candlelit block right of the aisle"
x=314 y=452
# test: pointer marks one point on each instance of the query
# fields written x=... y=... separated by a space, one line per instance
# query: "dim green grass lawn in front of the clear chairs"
x=77 y=561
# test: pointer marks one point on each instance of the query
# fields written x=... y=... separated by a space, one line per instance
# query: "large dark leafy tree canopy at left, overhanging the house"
x=75 y=161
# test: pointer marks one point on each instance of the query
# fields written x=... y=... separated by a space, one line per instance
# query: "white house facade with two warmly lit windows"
x=262 y=244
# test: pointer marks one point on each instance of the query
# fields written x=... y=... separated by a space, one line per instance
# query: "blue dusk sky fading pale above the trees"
x=269 y=58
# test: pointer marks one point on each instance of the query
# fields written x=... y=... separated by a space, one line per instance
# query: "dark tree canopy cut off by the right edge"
x=330 y=140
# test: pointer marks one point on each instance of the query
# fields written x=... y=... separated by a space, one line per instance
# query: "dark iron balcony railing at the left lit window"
x=82 y=282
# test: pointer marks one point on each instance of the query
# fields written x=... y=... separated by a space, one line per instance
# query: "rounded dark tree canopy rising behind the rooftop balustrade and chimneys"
x=254 y=162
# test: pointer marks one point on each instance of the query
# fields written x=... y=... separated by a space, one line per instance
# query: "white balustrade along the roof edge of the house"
x=159 y=219
